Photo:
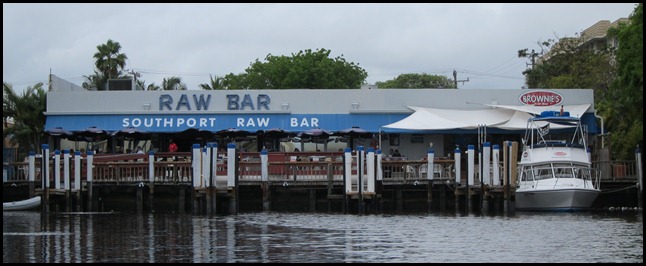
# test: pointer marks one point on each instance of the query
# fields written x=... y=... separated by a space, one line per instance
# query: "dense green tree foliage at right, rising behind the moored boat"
x=615 y=75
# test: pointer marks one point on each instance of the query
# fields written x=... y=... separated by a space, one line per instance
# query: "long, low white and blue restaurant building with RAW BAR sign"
x=410 y=120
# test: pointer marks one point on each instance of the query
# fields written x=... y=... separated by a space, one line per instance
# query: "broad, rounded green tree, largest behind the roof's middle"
x=305 y=70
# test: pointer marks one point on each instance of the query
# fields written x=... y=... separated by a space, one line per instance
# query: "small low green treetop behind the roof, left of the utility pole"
x=416 y=81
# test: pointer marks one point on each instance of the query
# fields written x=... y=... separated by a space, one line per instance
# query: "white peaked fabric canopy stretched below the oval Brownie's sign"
x=507 y=117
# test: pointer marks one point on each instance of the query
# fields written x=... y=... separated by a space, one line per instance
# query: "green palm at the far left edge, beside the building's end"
x=26 y=113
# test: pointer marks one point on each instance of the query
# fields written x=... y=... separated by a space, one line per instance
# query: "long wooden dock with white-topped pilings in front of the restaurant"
x=251 y=182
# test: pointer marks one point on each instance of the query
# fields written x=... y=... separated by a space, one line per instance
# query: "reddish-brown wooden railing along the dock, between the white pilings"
x=176 y=168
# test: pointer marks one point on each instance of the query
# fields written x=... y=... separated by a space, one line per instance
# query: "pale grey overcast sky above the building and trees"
x=193 y=41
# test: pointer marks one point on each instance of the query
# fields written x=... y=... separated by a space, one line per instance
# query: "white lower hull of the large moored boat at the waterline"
x=555 y=200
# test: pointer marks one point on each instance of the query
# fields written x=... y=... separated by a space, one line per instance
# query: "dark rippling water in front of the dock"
x=315 y=237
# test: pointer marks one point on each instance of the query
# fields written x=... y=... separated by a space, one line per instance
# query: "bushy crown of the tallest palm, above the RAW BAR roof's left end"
x=108 y=59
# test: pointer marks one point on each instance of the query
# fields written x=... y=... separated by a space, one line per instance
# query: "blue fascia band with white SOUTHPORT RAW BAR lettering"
x=173 y=123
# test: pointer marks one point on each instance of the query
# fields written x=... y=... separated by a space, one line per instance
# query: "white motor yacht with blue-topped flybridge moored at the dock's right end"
x=555 y=172
